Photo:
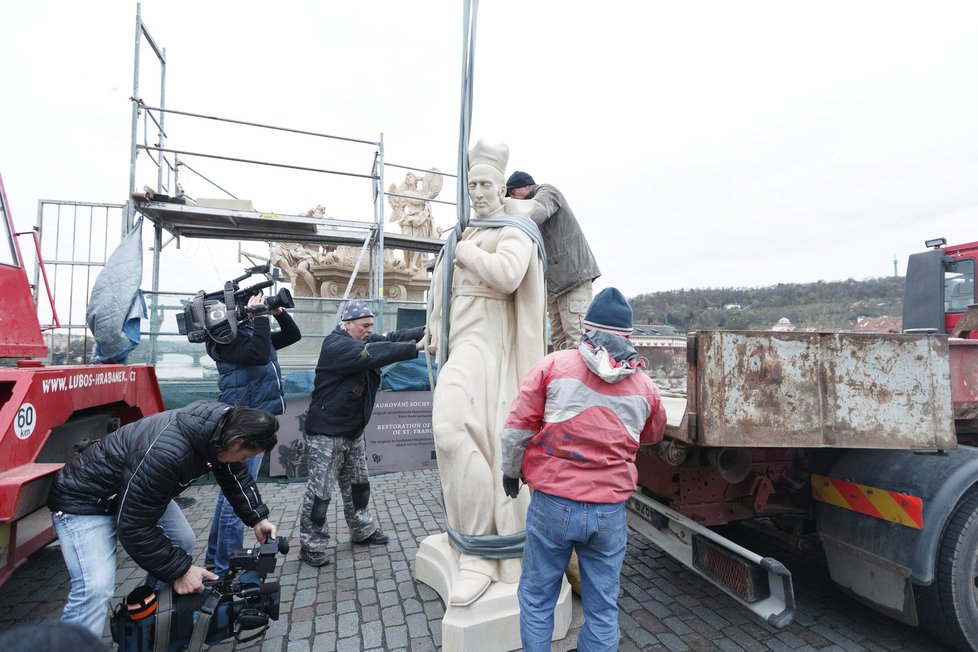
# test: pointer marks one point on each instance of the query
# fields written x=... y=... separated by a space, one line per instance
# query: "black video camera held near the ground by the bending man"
x=240 y=601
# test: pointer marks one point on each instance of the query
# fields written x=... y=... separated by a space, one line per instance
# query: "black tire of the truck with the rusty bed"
x=949 y=607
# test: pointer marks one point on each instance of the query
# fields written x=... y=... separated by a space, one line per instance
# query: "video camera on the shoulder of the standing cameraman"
x=218 y=315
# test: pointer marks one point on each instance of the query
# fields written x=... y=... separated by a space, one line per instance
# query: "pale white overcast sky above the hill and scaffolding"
x=701 y=144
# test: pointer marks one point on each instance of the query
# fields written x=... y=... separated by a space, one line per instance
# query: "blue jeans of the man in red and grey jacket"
x=599 y=533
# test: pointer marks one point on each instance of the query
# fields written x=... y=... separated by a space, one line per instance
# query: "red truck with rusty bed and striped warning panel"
x=867 y=441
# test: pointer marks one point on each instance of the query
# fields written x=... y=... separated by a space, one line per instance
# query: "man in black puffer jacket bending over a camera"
x=122 y=487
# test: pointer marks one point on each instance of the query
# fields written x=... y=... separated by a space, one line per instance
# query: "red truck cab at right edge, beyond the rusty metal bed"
x=940 y=286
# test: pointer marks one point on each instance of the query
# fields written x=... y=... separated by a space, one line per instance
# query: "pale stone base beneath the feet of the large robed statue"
x=491 y=623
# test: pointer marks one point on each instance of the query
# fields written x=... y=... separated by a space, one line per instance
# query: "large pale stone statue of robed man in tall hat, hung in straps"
x=496 y=332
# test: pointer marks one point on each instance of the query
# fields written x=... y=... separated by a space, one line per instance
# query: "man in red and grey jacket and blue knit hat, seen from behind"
x=572 y=435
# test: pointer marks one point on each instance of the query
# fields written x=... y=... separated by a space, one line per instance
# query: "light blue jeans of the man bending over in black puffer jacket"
x=88 y=545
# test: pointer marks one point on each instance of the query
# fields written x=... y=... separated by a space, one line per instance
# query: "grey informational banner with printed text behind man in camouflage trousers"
x=398 y=436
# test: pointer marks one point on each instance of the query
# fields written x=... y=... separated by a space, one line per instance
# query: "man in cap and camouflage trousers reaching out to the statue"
x=347 y=378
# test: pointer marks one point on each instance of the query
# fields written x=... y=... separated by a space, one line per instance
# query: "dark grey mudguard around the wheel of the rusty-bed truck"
x=938 y=479
